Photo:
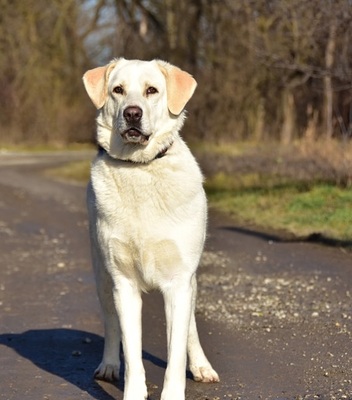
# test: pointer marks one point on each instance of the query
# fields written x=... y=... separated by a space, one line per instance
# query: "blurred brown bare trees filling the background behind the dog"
x=266 y=68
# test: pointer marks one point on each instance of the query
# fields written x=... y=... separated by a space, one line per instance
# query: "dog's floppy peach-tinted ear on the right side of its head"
x=180 y=86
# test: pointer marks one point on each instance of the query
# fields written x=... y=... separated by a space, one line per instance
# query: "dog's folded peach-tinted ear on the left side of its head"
x=96 y=82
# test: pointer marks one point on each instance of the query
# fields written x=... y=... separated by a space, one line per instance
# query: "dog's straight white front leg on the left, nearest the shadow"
x=128 y=303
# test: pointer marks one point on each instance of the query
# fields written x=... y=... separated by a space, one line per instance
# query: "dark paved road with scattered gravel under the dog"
x=274 y=315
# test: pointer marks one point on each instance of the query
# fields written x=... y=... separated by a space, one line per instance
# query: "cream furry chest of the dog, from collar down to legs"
x=149 y=218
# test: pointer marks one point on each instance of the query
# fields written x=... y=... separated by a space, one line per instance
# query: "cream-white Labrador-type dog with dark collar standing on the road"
x=147 y=216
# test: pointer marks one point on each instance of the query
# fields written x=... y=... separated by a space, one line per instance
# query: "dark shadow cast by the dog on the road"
x=69 y=354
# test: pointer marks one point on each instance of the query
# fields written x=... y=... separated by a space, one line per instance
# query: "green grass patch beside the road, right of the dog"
x=298 y=208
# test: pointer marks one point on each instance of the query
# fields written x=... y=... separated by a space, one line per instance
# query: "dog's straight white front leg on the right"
x=178 y=307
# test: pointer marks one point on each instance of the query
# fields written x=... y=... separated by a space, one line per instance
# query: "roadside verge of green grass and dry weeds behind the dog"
x=270 y=190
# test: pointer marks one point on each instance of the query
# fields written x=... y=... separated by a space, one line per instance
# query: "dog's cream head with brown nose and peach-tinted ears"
x=140 y=105
